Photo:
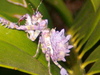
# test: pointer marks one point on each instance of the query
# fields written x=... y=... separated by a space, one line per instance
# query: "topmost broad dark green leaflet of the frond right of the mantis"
x=83 y=17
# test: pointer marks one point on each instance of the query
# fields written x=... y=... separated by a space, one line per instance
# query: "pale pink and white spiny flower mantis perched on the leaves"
x=54 y=44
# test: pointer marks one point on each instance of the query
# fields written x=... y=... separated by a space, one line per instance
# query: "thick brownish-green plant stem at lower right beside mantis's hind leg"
x=75 y=64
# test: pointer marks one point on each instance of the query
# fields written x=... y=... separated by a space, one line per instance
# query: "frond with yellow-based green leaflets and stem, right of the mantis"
x=85 y=37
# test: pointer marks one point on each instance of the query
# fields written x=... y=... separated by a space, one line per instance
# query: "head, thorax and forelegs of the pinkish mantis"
x=33 y=25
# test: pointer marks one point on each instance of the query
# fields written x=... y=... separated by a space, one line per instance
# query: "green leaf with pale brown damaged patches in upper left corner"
x=10 y=10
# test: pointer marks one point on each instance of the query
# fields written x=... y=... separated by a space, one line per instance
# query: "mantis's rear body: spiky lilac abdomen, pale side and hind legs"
x=55 y=46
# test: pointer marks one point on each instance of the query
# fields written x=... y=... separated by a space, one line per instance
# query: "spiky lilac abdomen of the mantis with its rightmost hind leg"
x=61 y=48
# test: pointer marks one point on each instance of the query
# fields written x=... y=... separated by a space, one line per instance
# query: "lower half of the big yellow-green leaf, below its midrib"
x=14 y=58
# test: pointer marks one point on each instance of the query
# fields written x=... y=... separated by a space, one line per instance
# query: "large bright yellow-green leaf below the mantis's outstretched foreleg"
x=16 y=51
